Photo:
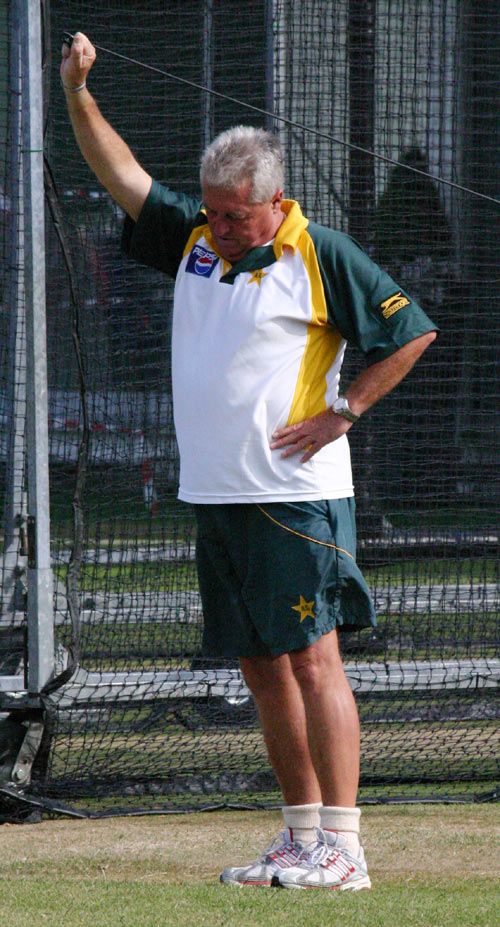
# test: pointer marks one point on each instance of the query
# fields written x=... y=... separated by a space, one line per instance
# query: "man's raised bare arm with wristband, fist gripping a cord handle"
x=105 y=152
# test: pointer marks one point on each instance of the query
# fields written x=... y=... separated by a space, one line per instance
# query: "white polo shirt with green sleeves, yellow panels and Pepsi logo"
x=259 y=344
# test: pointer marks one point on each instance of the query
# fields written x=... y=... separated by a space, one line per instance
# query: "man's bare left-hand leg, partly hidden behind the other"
x=281 y=710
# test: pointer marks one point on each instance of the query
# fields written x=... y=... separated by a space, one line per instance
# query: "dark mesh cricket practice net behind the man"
x=370 y=97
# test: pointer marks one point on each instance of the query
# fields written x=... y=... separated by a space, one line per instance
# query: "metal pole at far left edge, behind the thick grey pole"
x=14 y=563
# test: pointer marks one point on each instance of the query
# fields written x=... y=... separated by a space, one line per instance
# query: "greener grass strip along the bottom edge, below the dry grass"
x=124 y=904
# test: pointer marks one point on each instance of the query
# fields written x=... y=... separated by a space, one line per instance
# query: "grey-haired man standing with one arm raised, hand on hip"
x=265 y=303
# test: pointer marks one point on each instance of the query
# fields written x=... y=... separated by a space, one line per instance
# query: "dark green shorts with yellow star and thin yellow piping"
x=276 y=577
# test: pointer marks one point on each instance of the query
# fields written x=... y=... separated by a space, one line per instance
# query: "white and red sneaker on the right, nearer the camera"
x=328 y=865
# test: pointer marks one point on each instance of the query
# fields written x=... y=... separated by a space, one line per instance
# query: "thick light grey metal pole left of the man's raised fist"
x=40 y=584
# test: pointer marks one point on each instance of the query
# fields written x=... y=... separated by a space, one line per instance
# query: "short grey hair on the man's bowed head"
x=241 y=154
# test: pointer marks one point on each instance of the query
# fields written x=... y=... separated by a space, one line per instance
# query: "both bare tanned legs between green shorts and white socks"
x=310 y=722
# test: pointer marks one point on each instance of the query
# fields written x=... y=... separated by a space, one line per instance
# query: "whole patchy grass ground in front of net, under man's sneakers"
x=431 y=866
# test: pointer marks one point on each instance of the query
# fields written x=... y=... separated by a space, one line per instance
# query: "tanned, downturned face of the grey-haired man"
x=236 y=224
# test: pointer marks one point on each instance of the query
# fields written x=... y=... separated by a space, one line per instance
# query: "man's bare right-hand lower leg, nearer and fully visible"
x=332 y=719
